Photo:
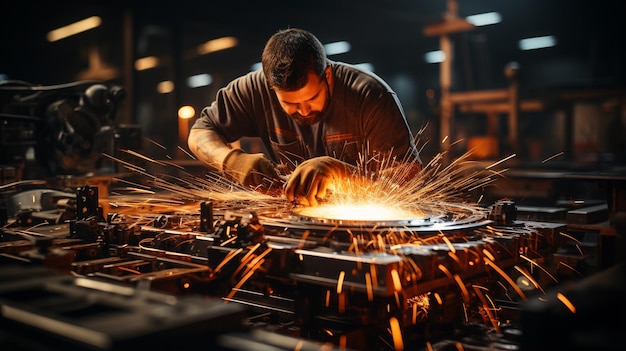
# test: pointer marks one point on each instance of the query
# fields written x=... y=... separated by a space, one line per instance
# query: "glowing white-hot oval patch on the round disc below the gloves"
x=357 y=212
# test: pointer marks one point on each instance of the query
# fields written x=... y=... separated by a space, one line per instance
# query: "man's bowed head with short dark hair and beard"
x=295 y=65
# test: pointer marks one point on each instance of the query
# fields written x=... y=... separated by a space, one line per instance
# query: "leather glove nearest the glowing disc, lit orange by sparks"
x=314 y=177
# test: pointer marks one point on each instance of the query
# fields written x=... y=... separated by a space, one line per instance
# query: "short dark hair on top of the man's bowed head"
x=289 y=55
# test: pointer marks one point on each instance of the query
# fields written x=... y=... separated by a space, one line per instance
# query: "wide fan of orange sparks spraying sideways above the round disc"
x=390 y=191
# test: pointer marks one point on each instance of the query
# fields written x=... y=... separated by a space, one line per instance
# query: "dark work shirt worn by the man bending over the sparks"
x=364 y=120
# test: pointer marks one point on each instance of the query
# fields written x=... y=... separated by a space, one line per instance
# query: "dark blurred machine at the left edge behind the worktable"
x=56 y=130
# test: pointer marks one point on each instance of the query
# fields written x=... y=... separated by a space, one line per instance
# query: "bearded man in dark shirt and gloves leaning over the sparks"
x=318 y=120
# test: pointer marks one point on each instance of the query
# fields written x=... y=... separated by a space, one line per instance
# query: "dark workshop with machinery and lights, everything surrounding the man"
x=114 y=237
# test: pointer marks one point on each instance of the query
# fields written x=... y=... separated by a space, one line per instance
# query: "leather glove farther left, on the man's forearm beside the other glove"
x=251 y=170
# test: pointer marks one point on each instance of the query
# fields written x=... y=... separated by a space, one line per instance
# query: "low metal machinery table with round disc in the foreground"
x=352 y=284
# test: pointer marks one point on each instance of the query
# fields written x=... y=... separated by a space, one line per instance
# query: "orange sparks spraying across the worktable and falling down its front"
x=387 y=194
